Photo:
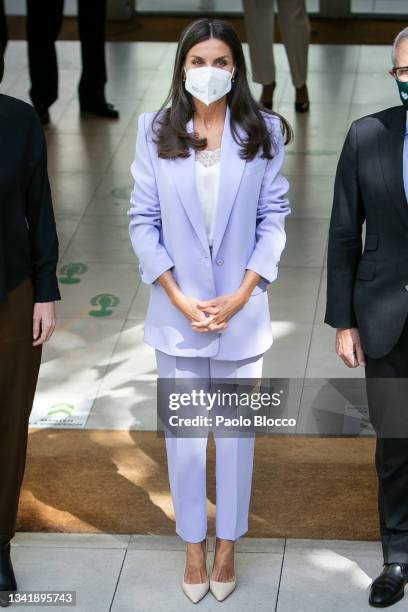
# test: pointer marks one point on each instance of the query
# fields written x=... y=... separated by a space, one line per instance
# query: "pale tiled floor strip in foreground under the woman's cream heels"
x=124 y=573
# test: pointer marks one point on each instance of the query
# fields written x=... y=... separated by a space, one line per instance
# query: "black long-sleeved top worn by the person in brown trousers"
x=28 y=236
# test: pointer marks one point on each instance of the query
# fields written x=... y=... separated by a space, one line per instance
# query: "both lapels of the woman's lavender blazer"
x=231 y=170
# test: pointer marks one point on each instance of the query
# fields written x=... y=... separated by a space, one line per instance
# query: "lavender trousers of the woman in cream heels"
x=186 y=457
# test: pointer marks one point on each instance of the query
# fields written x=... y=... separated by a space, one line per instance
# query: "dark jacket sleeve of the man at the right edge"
x=345 y=241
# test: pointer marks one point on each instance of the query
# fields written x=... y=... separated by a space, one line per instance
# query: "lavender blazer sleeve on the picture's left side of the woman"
x=145 y=214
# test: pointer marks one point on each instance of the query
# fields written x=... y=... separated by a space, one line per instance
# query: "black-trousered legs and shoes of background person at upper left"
x=44 y=20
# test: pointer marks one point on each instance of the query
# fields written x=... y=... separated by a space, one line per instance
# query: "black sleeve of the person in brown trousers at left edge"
x=40 y=219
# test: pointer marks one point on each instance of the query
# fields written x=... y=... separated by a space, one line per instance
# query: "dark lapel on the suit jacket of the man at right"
x=392 y=149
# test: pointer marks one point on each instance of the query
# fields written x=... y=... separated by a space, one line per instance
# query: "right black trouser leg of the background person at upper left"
x=91 y=22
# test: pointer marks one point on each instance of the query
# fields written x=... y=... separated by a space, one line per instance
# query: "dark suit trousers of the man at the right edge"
x=387 y=400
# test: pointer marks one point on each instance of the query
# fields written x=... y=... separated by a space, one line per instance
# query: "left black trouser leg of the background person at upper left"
x=44 y=20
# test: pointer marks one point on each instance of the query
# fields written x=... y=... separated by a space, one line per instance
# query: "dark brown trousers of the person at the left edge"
x=19 y=367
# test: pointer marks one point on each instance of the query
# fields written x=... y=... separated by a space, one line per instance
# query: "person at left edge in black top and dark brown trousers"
x=28 y=289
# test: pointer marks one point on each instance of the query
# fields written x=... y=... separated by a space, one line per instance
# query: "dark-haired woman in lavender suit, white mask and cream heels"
x=207 y=224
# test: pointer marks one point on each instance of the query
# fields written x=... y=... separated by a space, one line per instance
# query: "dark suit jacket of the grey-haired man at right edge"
x=369 y=289
